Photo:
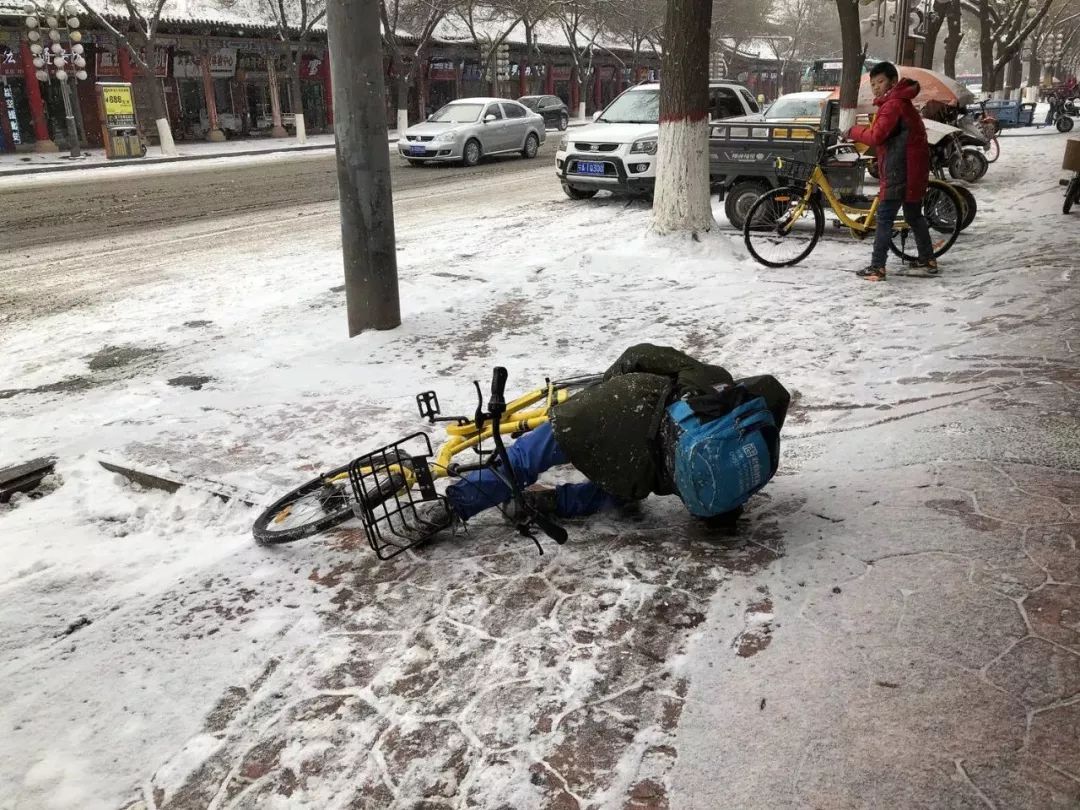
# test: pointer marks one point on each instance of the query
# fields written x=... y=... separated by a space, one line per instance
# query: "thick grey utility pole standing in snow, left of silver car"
x=363 y=158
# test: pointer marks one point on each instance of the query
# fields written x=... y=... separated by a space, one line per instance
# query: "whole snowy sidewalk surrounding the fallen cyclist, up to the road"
x=153 y=657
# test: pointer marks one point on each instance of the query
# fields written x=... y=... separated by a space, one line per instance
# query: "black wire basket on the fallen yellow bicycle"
x=389 y=484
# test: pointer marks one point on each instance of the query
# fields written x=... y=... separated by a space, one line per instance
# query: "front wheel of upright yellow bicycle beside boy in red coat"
x=781 y=229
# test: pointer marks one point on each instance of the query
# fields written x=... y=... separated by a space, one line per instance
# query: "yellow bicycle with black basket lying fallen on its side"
x=383 y=489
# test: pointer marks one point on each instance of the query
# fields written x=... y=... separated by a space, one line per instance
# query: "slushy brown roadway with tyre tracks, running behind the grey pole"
x=129 y=241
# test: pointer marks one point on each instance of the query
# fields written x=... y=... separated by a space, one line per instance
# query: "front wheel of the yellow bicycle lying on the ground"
x=317 y=506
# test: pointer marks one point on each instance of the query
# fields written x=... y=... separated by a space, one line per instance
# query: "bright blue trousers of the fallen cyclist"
x=530 y=456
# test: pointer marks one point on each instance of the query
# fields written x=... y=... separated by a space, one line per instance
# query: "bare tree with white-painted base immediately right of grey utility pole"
x=408 y=29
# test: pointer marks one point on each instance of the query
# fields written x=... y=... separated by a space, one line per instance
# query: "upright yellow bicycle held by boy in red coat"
x=785 y=225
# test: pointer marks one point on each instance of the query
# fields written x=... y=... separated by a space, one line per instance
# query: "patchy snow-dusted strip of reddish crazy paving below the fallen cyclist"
x=460 y=677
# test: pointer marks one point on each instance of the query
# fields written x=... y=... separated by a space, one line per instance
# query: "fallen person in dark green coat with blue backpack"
x=660 y=423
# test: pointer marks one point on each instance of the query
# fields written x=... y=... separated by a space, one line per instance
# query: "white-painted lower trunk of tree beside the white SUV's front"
x=681 y=199
